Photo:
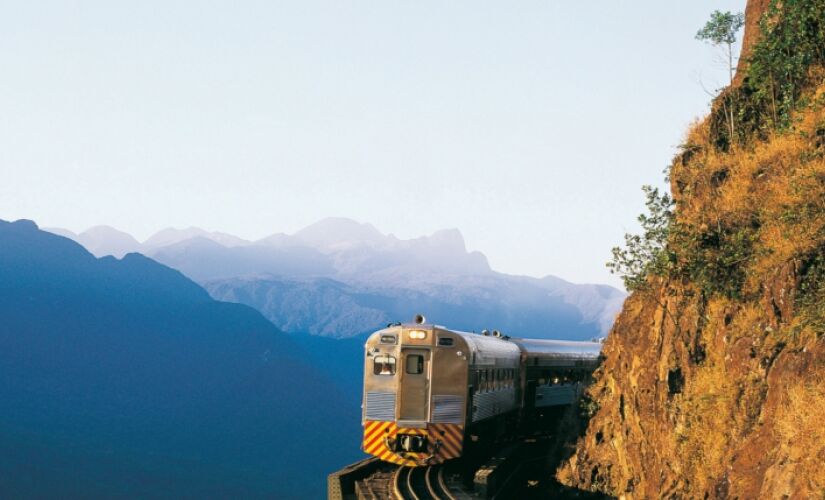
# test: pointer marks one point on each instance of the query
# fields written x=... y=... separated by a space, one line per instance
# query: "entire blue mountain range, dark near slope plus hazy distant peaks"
x=125 y=376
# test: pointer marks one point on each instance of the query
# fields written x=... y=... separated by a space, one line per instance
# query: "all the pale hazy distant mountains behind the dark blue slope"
x=340 y=278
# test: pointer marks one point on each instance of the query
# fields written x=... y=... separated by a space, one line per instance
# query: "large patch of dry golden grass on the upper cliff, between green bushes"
x=776 y=186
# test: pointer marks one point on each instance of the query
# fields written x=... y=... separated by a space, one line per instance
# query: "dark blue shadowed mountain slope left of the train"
x=123 y=378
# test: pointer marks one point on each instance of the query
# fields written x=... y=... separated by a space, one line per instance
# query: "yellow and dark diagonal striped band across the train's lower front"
x=445 y=441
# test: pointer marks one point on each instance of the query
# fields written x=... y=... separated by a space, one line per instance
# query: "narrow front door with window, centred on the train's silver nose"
x=415 y=384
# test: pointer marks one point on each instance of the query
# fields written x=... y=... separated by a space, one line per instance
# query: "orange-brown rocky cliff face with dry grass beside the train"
x=713 y=383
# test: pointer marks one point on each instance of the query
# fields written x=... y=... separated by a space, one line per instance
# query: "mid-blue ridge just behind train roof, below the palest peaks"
x=331 y=308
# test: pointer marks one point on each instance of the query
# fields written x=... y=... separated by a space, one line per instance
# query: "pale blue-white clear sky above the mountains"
x=529 y=126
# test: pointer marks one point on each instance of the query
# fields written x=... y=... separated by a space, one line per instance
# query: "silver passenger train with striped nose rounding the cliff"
x=430 y=392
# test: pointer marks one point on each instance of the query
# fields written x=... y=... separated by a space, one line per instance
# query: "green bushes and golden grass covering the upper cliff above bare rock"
x=727 y=244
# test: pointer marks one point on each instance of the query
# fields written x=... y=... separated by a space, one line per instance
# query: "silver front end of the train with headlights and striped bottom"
x=414 y=402
